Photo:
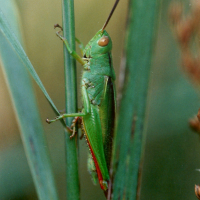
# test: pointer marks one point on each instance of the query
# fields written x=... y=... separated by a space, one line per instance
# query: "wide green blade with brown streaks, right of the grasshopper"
x=130 y=124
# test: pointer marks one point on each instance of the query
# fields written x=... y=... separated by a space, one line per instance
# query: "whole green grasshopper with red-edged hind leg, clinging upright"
x=98 y=92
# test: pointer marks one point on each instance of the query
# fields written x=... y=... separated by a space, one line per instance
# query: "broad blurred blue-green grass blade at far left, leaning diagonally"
x=26 y=109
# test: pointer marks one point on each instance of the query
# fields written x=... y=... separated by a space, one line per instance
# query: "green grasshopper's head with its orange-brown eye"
x=100 y=44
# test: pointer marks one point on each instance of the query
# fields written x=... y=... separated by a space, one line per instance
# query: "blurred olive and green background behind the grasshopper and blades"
x=171 y=154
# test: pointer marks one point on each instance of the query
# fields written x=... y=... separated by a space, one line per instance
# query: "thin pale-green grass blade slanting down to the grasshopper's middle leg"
x=10 y=36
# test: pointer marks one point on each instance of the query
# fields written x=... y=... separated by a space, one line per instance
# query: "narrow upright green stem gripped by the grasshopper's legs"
x=71 y=100
